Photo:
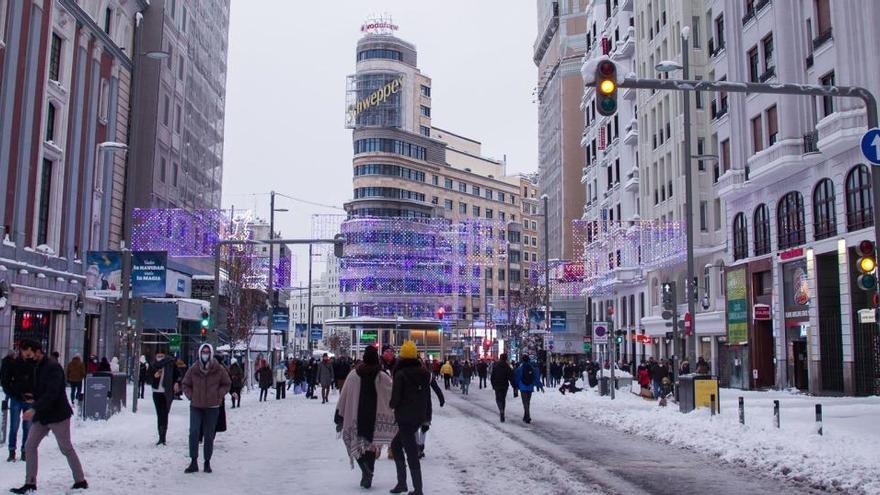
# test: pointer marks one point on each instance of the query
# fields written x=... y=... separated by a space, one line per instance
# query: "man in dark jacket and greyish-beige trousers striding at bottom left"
x=50 y=412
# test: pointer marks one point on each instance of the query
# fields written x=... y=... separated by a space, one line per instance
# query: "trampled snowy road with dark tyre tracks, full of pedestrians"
x=291 y=445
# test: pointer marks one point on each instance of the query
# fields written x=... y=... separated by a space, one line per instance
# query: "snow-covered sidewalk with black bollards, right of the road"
x=846 y=457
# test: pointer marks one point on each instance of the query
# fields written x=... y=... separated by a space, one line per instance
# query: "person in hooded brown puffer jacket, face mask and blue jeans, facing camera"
x=205 y=385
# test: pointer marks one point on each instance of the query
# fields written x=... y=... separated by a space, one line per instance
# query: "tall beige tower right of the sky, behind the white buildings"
x=558 y=54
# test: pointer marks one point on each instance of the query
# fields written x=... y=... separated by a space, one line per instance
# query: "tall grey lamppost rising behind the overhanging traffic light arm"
x=691 y=289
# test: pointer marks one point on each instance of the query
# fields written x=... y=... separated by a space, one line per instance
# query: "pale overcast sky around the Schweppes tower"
x=285 y=93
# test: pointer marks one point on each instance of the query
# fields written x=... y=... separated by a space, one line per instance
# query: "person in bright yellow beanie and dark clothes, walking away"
x=411 y=401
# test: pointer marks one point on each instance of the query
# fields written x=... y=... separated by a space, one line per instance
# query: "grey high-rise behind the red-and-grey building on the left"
x=178 y=152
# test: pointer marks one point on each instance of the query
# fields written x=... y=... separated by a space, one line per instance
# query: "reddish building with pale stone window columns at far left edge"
x=64 y=108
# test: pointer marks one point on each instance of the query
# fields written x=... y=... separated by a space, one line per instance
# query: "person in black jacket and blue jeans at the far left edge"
x=18 y=384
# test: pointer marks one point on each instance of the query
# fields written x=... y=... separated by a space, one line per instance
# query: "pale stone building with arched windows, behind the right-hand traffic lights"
x=797 y=191
